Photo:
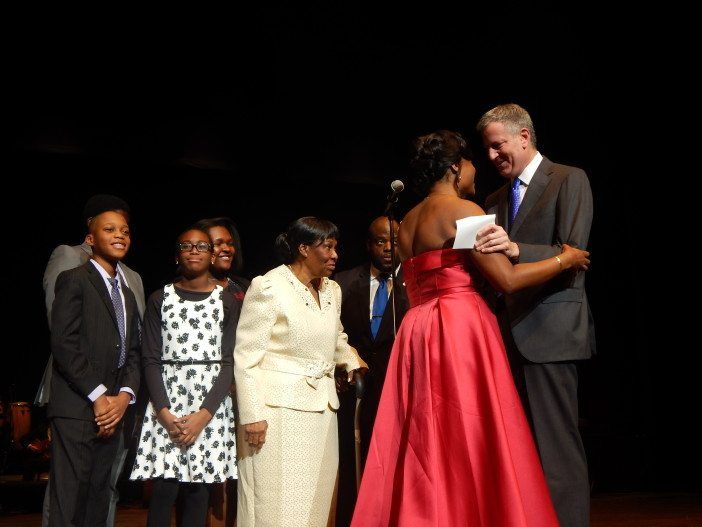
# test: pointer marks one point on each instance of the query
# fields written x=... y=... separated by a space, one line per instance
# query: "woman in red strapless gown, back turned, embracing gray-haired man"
x=451 y=444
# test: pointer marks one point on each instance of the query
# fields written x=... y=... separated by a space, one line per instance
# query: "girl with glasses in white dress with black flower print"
x=188 y=437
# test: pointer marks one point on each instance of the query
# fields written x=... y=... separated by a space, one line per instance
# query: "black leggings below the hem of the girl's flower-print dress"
x=196 y=497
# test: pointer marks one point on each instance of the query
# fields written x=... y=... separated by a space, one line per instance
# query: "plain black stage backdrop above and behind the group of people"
x=273 y=114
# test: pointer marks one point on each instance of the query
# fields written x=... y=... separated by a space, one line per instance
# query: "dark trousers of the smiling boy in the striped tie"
x=80 y=473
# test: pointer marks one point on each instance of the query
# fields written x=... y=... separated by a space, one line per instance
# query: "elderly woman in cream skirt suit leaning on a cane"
x=289 y=341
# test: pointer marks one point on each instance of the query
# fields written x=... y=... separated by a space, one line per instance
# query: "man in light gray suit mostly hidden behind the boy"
x=66 y=257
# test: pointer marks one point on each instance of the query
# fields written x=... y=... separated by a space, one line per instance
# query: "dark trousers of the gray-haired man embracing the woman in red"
x=549 y=394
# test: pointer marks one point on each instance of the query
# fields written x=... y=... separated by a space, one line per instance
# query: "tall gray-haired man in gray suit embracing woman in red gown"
x=546 y=328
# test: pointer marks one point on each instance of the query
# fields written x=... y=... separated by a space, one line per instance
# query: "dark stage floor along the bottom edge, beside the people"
x=608 y=510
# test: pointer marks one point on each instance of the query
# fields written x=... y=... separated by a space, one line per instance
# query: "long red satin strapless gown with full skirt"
x=451 y=445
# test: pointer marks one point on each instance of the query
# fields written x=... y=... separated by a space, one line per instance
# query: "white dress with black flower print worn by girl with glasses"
x=196 y=327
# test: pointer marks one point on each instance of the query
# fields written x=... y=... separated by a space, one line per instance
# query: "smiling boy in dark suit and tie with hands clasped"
x=95 y=342
